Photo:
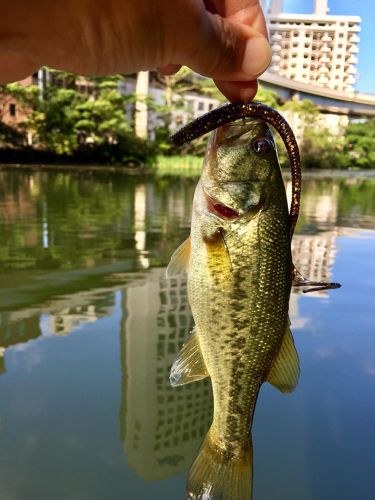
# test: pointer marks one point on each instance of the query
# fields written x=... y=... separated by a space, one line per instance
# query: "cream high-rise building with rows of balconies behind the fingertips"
x=314 y=48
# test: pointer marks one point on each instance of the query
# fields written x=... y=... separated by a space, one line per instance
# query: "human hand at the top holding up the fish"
x=222 y=39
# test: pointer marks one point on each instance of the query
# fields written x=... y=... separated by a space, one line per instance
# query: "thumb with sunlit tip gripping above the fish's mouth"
x=229 y=51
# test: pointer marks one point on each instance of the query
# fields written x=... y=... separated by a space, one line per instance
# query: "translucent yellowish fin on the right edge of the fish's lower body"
x=284 y=372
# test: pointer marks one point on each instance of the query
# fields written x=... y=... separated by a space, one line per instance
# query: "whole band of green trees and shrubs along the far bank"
x=95 y=125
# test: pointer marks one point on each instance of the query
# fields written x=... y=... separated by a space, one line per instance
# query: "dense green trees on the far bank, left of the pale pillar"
x=66 y=122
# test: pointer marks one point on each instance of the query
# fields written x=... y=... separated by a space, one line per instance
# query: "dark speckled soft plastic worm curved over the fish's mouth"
x=231 y=112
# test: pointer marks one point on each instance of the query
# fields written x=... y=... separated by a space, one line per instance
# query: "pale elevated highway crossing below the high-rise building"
x=335 y=102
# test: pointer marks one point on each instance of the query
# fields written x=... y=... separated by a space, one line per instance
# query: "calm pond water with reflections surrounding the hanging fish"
x=89 y=328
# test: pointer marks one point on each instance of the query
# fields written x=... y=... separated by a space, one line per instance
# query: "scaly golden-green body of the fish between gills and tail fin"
x=239 y=291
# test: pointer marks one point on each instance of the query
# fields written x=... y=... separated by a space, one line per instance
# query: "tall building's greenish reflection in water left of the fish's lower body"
x=162 y=426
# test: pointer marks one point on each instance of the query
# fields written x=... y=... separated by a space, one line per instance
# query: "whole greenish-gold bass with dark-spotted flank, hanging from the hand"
x=239 y=276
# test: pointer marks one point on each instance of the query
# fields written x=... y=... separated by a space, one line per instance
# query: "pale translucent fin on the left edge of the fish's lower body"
x=189 y=365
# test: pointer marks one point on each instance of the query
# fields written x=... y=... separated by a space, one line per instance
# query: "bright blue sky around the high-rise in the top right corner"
x=365 y=9
